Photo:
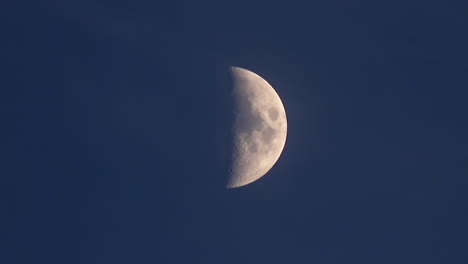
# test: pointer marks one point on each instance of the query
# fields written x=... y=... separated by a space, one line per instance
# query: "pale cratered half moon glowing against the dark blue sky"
x=259 y=128
